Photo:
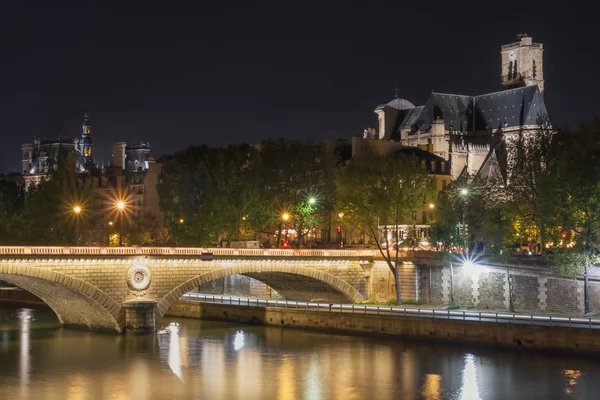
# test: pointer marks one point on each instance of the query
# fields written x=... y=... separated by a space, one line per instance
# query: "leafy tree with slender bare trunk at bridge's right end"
x=383 y=192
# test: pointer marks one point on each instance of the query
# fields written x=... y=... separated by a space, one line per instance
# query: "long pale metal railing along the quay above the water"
x=479 y=316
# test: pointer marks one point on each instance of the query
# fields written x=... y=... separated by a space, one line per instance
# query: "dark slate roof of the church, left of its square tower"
x=508 y=108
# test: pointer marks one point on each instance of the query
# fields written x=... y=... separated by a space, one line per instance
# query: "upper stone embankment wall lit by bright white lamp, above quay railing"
x=532 y=289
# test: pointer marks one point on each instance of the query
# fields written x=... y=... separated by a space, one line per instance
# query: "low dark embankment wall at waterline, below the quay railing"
x=545 y=338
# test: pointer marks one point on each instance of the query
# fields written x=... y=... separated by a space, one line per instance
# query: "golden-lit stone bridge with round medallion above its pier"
x=119 y=289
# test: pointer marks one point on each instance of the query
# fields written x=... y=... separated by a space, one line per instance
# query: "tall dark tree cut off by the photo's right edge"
x=570 y=198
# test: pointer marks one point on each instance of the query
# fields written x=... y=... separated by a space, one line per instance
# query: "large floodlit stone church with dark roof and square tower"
x=467 y=132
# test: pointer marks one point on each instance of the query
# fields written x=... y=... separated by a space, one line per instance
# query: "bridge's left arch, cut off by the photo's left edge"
x=76 y=303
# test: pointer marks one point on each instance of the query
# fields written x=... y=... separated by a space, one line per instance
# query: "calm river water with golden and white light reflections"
x=192 y=359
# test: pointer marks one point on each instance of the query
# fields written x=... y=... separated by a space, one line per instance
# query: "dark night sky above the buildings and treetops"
x=175 y=73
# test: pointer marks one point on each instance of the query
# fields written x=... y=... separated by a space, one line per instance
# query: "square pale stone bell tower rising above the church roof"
x=522 y=64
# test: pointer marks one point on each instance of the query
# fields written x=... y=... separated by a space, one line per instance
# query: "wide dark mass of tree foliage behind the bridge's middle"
x=209 y=195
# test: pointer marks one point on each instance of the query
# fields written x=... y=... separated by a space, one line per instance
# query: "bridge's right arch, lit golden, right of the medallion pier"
x=266 y=273
